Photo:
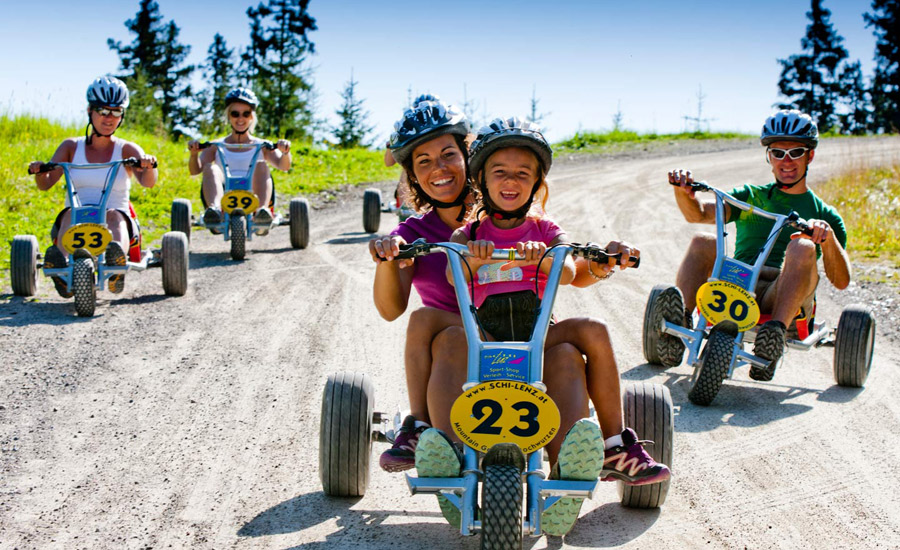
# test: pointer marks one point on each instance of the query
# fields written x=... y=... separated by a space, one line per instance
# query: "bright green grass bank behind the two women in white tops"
x=26 y=210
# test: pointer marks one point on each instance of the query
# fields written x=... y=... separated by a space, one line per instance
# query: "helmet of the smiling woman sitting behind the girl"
x=424 y=122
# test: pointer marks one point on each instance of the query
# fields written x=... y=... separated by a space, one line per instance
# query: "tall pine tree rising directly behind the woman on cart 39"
x=276 y=58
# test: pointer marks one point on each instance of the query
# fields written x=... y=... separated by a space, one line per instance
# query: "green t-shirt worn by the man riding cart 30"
x=752 y=230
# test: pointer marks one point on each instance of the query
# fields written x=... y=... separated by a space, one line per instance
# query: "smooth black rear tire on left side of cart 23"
x=345 y=434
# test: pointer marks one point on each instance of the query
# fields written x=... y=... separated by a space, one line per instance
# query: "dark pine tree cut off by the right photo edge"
x=885 y=20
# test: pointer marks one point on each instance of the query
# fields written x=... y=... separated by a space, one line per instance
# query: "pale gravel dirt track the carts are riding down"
x=193 y=422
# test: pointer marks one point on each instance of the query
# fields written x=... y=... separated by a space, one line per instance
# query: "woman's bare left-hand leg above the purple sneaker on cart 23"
x=424 y=324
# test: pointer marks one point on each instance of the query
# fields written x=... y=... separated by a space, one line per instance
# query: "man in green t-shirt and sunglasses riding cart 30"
x=789 y=280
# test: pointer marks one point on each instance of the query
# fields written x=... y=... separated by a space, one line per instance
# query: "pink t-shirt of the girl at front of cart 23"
x=497 y=278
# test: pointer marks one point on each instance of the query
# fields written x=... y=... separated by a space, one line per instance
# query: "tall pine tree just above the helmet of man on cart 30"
x=810 y=81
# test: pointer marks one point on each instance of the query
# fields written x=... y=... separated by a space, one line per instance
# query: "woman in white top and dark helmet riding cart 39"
x=240 y=111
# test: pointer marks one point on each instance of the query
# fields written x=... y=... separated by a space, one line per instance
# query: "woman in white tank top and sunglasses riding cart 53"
x=107 y=100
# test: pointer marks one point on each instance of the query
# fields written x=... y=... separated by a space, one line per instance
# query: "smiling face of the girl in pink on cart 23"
x=510 y=175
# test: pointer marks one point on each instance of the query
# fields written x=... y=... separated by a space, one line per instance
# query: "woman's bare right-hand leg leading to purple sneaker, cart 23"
x=591 y=337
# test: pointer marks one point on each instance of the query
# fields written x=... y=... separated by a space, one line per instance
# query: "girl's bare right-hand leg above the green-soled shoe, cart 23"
x=564 y=375
